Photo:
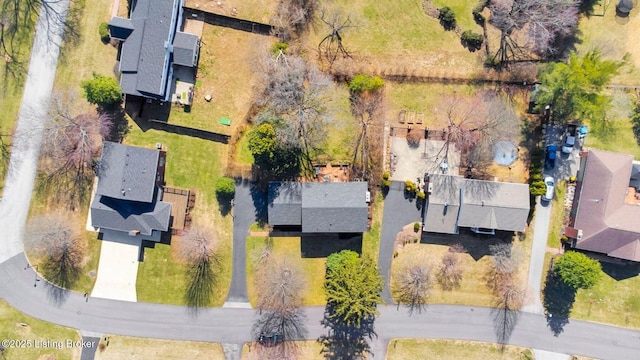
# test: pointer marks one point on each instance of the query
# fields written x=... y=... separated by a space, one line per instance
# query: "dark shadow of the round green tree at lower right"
x=558 y=301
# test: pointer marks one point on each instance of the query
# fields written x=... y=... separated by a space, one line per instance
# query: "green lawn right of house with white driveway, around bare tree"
x=191 y=164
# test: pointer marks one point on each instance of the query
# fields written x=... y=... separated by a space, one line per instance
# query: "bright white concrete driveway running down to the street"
x=118 y=268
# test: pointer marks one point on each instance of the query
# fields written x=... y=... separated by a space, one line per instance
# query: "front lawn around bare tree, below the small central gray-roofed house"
x=286 y=248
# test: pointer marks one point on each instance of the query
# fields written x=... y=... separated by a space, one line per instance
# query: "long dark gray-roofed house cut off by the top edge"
x=153 y=48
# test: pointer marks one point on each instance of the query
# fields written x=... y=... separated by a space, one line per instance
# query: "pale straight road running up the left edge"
x=28 y=136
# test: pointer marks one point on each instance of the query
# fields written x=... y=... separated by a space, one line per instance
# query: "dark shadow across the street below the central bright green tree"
x=346 y=341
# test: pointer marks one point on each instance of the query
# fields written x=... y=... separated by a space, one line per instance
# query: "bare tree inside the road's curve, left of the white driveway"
x=53 y=238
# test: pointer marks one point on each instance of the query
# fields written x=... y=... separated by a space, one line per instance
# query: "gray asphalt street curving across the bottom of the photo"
x=233 y=325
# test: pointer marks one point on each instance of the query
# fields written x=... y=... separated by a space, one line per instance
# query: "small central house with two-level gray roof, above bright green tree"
x=327 y=207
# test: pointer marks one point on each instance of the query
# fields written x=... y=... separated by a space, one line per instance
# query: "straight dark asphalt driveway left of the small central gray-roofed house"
x=244 y=214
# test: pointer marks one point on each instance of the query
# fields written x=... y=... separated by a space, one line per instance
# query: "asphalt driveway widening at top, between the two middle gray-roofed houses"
x=398 y=212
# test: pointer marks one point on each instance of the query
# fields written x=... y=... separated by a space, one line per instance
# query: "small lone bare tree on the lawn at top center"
x=331 y=46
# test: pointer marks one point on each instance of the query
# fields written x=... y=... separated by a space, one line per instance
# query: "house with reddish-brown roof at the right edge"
x=606 y=208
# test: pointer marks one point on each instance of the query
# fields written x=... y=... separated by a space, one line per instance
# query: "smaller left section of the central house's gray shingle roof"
x=285 y=203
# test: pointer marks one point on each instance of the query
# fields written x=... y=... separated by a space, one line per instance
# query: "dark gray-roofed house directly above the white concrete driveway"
x=127 y=199
